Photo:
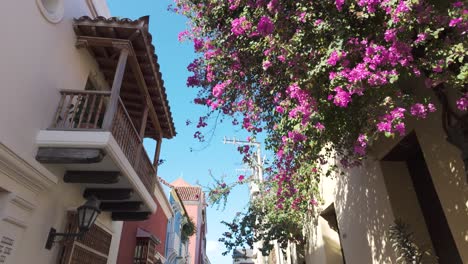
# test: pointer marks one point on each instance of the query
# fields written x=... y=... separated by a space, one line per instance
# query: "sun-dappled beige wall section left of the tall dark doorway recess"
x=364 y=215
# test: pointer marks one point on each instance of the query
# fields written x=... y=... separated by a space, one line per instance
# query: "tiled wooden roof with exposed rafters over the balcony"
x=109 y=32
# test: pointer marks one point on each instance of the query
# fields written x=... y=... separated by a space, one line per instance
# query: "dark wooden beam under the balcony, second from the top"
x=92 y=177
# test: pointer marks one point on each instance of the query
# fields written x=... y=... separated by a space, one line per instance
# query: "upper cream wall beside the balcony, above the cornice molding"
x=38 y=59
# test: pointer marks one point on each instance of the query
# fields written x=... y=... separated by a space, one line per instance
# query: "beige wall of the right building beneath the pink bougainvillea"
x=368 y=198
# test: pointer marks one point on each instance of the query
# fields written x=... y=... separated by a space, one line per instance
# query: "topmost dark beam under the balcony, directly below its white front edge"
x=52 y=155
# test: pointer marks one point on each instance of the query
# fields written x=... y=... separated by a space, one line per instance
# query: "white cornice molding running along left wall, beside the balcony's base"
x=23 y=173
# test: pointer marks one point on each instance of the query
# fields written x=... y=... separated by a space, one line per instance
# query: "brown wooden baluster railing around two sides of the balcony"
x=85 y=111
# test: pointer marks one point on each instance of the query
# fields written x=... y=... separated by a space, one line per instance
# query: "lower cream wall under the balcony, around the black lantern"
x=49 y=211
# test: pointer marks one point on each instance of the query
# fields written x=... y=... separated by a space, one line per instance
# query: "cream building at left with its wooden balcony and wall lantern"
x=80 y=92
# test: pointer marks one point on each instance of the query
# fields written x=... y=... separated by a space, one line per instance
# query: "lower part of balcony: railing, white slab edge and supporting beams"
x=80 y=117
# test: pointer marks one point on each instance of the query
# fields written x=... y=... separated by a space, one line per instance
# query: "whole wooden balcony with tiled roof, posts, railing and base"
x=96 y=137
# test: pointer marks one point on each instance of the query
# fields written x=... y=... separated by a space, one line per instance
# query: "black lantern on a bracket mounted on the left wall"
x=87 y=214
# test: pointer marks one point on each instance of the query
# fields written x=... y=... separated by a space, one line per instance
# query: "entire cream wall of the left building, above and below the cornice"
x=37 y=59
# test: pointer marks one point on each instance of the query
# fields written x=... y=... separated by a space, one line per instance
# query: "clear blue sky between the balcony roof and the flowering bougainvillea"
x=180 y=161
